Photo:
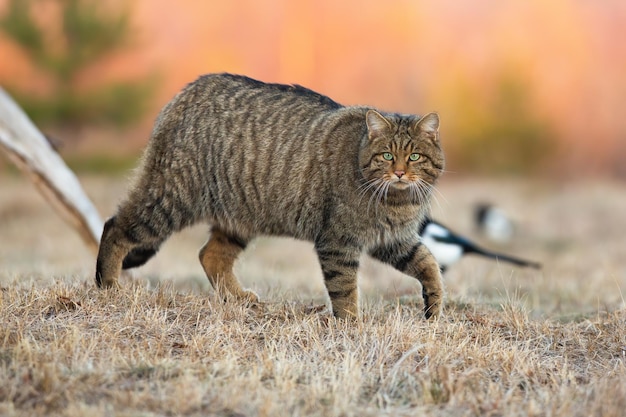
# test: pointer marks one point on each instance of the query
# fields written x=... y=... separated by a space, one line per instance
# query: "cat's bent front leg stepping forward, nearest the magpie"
x=417 y=261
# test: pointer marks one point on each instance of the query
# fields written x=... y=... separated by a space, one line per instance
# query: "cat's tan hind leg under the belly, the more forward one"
x=218 y=256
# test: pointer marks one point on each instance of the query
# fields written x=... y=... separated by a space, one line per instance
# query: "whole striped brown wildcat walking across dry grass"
x=252 y=159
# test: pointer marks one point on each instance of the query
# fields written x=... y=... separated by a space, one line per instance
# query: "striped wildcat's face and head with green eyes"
x=401 y=153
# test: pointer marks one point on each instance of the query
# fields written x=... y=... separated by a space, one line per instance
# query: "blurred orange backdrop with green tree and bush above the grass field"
x=523 y=88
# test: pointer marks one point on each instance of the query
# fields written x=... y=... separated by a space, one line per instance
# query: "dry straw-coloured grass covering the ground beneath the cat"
x=511 y=342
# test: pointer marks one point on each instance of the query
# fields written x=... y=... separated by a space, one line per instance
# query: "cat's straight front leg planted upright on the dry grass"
x=339 y=266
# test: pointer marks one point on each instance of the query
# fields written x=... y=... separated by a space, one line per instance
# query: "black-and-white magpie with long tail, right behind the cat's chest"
x=448 y=247
